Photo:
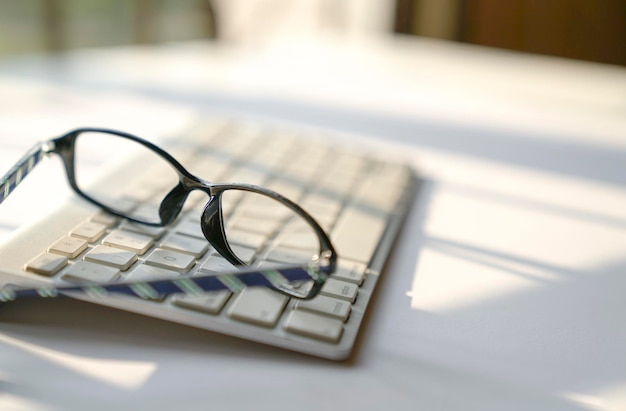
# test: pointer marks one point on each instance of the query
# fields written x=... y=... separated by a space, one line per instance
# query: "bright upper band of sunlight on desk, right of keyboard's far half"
x=543 y=236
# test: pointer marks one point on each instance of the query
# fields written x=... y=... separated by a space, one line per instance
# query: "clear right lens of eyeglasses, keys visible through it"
x=264 y=232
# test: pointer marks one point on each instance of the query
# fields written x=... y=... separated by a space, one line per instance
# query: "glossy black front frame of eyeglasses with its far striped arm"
x=212 y=219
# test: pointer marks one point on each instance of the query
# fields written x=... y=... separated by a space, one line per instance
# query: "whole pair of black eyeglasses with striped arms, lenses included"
x=238 y=220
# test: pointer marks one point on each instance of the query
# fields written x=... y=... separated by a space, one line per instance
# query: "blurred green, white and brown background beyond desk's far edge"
x=593 y=30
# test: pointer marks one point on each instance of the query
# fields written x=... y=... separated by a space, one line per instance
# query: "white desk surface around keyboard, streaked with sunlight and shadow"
x=505 y=290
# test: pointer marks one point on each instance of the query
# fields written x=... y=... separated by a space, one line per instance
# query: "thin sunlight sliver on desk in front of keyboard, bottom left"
x=128 y=375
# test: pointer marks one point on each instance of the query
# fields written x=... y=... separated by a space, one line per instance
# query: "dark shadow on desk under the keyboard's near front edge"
x=63 y=320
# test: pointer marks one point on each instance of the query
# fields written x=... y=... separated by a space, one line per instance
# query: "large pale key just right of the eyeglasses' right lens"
x=357 y=233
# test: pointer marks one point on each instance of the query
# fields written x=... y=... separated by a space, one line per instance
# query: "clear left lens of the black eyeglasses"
x=137 y=178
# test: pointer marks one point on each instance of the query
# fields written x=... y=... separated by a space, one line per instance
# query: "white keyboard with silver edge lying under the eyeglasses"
x=358 y=199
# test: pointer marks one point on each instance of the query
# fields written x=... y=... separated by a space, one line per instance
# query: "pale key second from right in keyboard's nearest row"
x=259 y=306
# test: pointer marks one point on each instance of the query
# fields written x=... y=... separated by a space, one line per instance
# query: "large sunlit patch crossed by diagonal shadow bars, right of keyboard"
x=494 y=238
